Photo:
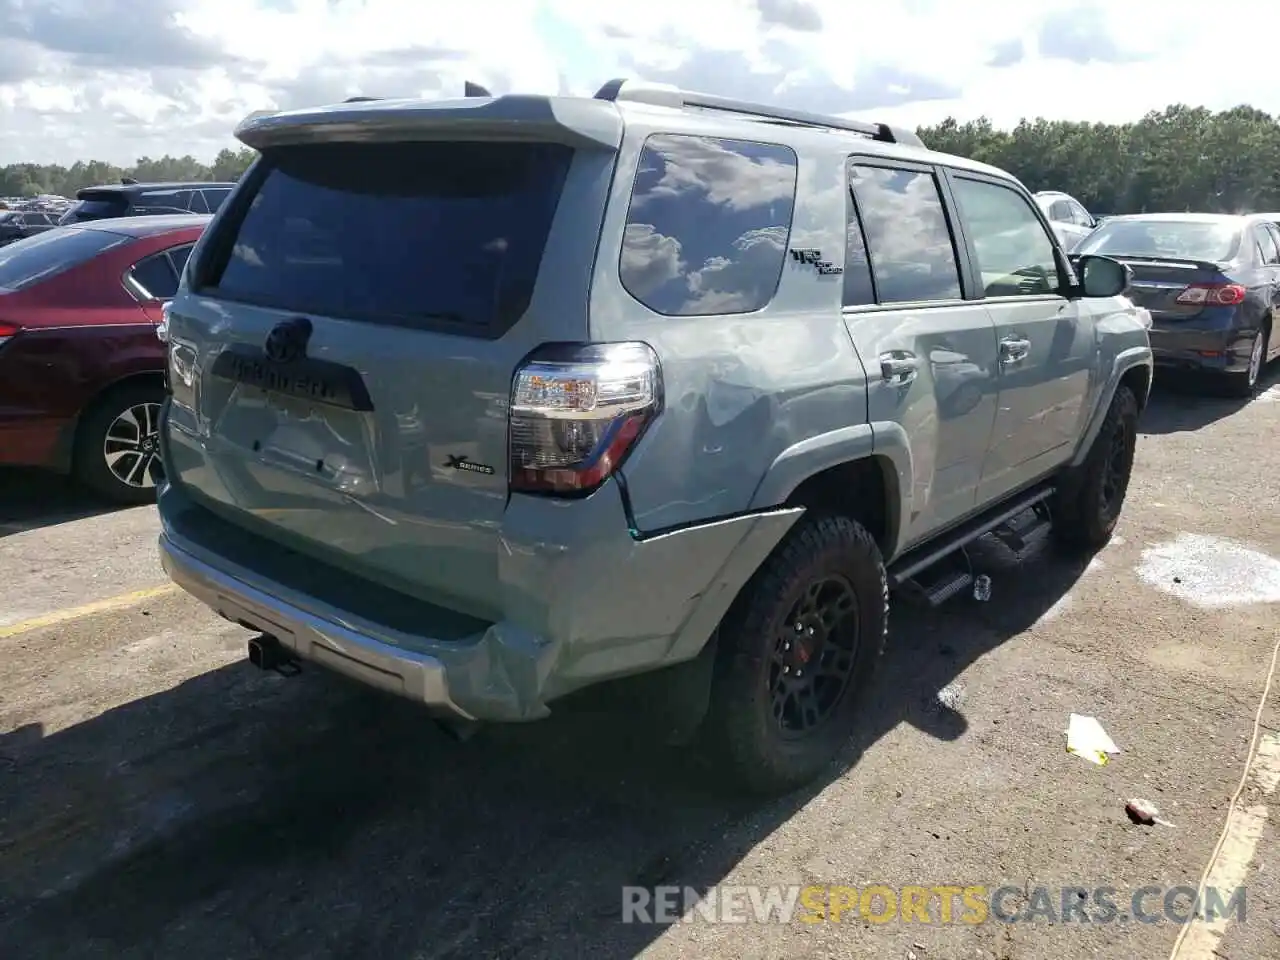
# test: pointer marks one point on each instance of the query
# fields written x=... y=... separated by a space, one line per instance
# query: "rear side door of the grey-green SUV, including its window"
x=930 y=355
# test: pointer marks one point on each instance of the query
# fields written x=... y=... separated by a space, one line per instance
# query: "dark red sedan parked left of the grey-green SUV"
x=81 y=367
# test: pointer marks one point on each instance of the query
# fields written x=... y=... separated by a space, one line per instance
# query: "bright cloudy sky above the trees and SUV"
x=113 y=80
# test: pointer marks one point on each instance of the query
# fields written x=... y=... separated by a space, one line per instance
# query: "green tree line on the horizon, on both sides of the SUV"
x=1182 y=158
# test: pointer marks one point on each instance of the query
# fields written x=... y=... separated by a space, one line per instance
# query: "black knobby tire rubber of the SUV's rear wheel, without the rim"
x=740 y=730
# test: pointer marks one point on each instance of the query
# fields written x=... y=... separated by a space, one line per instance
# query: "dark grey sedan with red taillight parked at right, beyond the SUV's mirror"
x=1212 y=284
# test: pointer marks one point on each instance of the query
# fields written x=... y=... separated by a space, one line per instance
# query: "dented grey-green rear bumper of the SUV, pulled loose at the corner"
x=580 y=607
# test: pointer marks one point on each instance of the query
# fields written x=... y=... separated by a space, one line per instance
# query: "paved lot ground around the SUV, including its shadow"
x=161 y=798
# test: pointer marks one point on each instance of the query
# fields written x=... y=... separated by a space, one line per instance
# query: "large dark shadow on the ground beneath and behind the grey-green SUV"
x=243 y=815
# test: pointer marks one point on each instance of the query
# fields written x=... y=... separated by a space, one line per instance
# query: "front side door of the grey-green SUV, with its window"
x=1045 y=344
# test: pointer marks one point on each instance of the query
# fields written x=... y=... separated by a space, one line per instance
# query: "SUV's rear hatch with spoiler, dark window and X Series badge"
x=344 y=360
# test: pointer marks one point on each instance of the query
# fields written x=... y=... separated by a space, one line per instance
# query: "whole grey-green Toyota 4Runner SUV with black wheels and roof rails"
x=491 y=400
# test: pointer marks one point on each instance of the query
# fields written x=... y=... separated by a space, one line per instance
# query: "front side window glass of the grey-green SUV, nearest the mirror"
x=1016 y=254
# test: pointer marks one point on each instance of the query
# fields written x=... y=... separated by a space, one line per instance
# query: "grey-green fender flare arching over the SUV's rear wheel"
x=884 y=441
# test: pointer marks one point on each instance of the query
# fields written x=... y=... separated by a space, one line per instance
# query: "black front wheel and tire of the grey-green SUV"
x=1086 y=508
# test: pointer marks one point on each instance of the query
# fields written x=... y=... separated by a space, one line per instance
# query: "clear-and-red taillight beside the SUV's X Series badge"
x=577 y=412
